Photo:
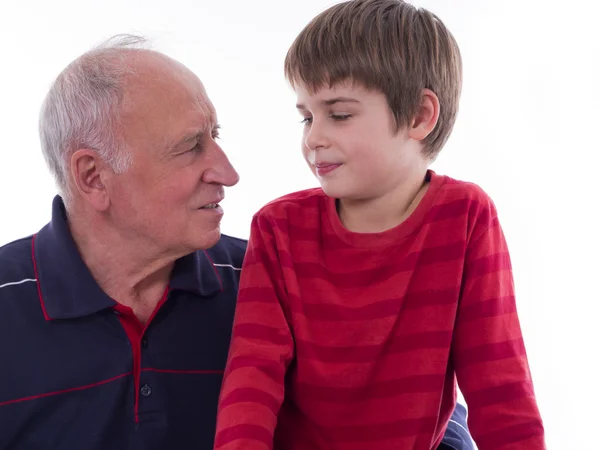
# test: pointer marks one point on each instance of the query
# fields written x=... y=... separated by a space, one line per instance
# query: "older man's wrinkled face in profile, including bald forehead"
x=169 y=197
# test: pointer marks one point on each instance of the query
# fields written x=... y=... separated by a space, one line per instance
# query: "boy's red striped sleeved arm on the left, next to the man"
x=260 y=351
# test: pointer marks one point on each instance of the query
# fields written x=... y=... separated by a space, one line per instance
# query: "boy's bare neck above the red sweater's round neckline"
x=382 y=213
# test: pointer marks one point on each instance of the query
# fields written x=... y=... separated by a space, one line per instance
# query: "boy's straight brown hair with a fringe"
x=387 y=45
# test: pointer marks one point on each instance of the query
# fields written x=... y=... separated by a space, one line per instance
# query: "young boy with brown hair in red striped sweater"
x=363 y=302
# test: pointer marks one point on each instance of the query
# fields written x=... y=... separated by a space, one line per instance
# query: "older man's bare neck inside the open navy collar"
x=132 y=273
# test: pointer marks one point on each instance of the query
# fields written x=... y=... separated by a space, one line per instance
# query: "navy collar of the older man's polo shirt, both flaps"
x=67 y=288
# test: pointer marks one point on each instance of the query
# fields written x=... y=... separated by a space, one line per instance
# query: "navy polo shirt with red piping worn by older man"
x=78 y=371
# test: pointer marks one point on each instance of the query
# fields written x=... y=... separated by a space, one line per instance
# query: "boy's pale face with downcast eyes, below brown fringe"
x=351 y=144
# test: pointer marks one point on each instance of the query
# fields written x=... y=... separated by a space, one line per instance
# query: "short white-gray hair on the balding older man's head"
x=81 y=109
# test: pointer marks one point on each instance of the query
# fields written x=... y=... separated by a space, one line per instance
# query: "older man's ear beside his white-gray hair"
x=89 y=171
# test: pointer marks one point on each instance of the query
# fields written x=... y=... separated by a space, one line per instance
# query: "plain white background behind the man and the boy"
x=527 y=133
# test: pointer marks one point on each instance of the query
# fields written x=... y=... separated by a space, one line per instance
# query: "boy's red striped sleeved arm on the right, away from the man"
x=488 y=350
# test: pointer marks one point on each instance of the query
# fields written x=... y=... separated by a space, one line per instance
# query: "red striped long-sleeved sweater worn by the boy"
x=355 y=341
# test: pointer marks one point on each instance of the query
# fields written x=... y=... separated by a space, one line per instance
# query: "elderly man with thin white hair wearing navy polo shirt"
x=115 y=318
